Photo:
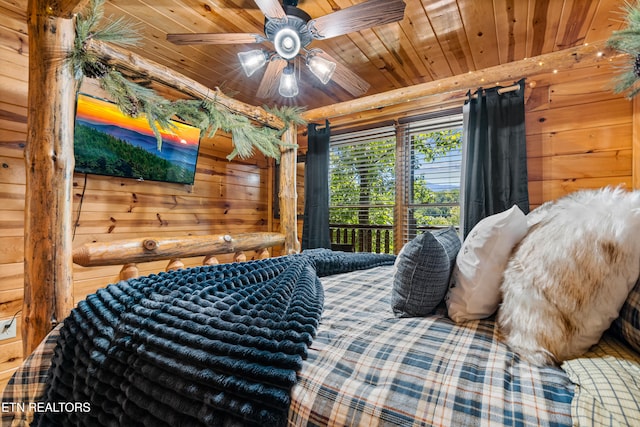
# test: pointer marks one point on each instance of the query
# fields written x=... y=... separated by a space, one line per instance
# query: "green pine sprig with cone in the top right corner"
x=627 y=41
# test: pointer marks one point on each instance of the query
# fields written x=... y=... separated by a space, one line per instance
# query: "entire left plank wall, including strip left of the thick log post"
x=227 y=197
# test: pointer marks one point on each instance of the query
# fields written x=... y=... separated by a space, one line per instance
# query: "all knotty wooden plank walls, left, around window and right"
x=579 y=136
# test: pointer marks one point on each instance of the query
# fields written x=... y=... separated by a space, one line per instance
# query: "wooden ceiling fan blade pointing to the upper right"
x=358 y=17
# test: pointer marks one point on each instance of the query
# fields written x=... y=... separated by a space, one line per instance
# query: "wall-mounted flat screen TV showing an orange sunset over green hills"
x=108 y=142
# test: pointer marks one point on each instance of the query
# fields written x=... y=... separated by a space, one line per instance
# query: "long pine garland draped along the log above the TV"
x=134 y=98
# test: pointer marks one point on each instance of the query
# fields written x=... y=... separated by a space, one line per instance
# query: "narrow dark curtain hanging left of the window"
x=315 y=226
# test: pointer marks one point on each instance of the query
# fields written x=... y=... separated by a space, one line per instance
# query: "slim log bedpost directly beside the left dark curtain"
x=288 y=193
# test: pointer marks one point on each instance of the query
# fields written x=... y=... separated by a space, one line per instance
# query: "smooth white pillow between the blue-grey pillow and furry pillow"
x=474 y=290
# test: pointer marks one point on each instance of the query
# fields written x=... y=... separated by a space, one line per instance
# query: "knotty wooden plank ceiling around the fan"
x=436 y=39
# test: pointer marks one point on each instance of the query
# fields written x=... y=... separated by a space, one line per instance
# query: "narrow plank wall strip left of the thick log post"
x=13 y=126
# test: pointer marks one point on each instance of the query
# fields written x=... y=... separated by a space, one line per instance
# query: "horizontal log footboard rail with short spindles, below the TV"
x=132 y=251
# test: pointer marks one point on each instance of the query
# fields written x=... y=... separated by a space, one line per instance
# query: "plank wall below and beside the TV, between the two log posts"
x=227 y=198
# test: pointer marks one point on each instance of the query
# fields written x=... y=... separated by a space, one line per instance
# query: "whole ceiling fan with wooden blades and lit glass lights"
x=291 y=30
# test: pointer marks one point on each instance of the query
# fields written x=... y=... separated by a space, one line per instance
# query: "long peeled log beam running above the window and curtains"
x=512 y=71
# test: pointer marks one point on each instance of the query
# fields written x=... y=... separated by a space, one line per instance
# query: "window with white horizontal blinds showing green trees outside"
x=392 y=181
